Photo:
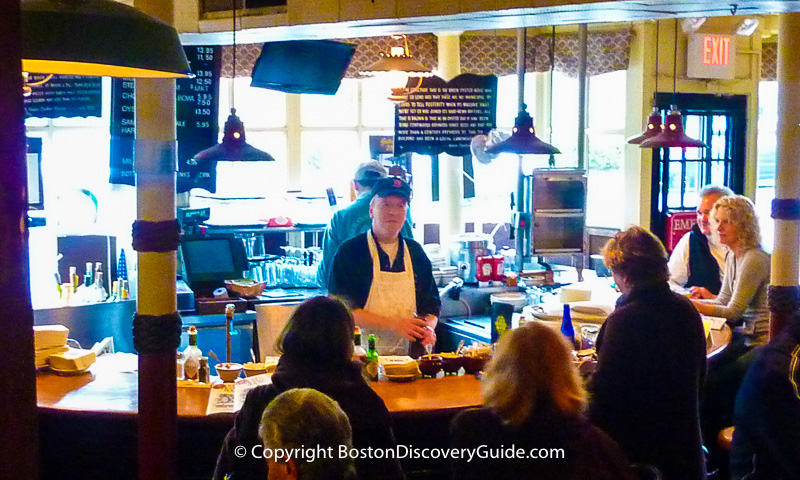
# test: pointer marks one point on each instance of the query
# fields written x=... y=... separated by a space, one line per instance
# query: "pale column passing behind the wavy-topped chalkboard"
x=451 y=177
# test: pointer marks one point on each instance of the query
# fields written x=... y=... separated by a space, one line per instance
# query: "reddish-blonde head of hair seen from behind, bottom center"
x=531 y=365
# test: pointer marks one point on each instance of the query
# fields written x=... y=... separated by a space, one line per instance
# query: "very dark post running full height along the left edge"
x=19 y=439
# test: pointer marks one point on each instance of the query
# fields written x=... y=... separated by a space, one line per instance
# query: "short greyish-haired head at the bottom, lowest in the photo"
x=302 y=418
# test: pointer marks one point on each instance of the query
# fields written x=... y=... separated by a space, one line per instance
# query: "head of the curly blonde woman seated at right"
x=735 y=220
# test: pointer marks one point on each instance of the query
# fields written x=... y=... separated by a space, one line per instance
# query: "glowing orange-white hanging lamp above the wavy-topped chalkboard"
x=396 y=68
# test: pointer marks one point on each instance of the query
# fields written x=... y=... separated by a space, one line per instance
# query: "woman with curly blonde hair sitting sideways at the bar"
x=743 y=302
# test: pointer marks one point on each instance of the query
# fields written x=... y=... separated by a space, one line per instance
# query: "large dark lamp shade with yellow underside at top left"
x=98 y=38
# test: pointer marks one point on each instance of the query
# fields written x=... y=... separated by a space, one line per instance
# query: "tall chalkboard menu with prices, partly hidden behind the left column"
x=197 y=122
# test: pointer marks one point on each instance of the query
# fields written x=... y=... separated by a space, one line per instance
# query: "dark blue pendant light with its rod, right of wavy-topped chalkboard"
x=523 y=139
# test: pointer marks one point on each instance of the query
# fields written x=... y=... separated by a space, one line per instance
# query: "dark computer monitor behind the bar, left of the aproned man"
x=209 y=260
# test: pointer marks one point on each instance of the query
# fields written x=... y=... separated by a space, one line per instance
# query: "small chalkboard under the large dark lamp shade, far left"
x=64 y=96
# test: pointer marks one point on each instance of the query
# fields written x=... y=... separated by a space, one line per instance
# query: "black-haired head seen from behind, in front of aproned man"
x=319 y=331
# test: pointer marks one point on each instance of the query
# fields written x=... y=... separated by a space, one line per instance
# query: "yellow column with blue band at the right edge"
x=783 y=290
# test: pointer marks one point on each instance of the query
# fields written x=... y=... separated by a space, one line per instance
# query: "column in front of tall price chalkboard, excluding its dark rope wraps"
x=155 y=166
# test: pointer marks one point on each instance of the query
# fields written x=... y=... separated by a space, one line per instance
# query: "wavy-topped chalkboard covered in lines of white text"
x=442 y=117
